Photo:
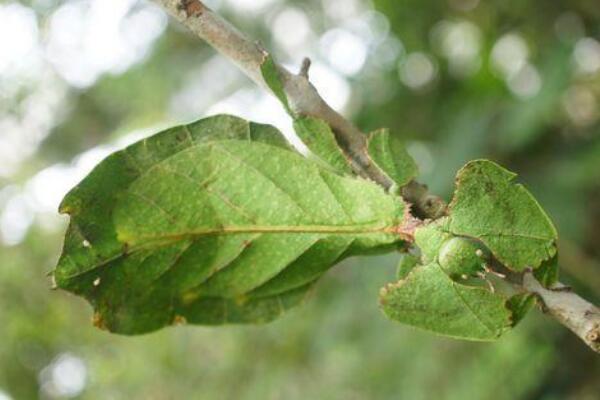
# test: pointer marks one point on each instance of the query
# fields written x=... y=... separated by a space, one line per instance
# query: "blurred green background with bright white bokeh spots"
x=514 y=81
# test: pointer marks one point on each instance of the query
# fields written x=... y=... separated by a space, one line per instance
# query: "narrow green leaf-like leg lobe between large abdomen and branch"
x=319 y=139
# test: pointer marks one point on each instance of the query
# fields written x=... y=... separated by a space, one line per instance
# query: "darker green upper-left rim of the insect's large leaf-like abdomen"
x=91 y=203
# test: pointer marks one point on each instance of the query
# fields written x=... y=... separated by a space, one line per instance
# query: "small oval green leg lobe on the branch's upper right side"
x=390 y=155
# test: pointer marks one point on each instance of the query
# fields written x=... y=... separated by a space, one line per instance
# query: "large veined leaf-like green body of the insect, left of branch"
x=211 y=223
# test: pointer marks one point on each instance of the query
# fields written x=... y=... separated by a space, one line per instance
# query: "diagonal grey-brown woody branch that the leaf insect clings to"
x=569 y=309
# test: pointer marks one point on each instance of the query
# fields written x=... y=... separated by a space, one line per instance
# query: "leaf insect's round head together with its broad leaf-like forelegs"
x=488 y=210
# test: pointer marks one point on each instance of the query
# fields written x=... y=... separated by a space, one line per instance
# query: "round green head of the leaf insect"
x=460 y=256
